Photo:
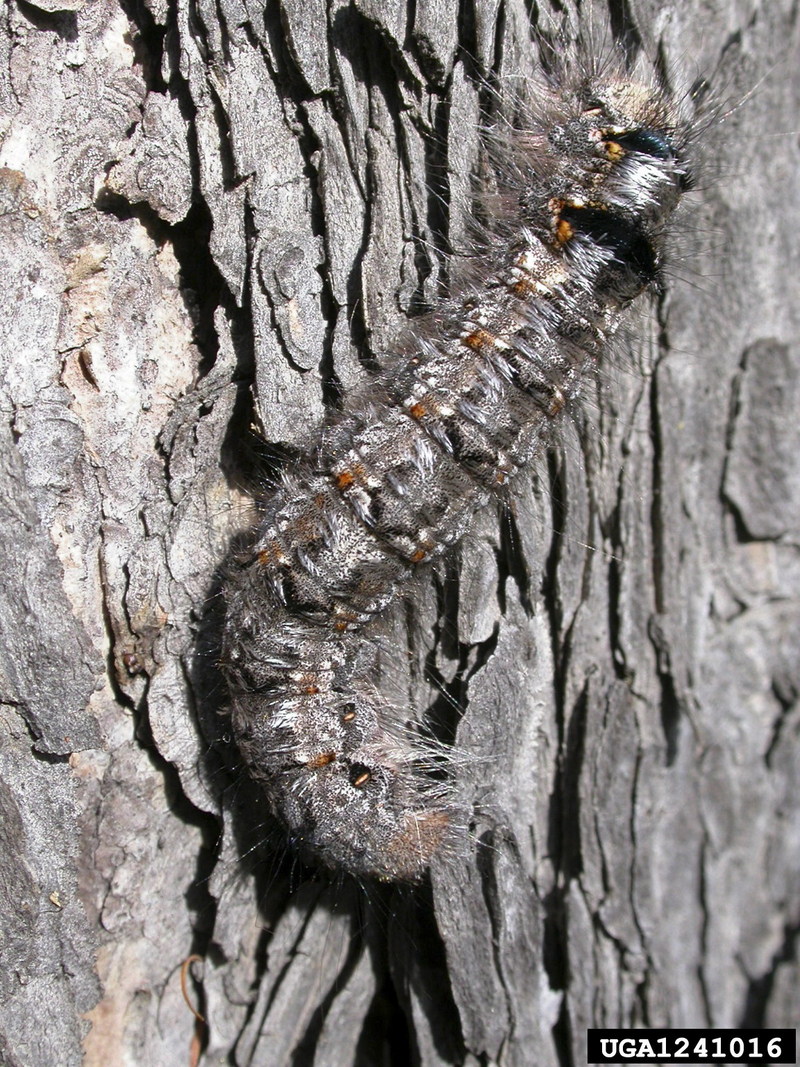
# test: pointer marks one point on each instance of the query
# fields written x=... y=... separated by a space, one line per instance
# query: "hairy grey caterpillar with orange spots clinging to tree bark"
x=584 y=189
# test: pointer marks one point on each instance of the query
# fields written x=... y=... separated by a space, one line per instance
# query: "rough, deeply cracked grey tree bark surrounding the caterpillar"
x=211 y=211
